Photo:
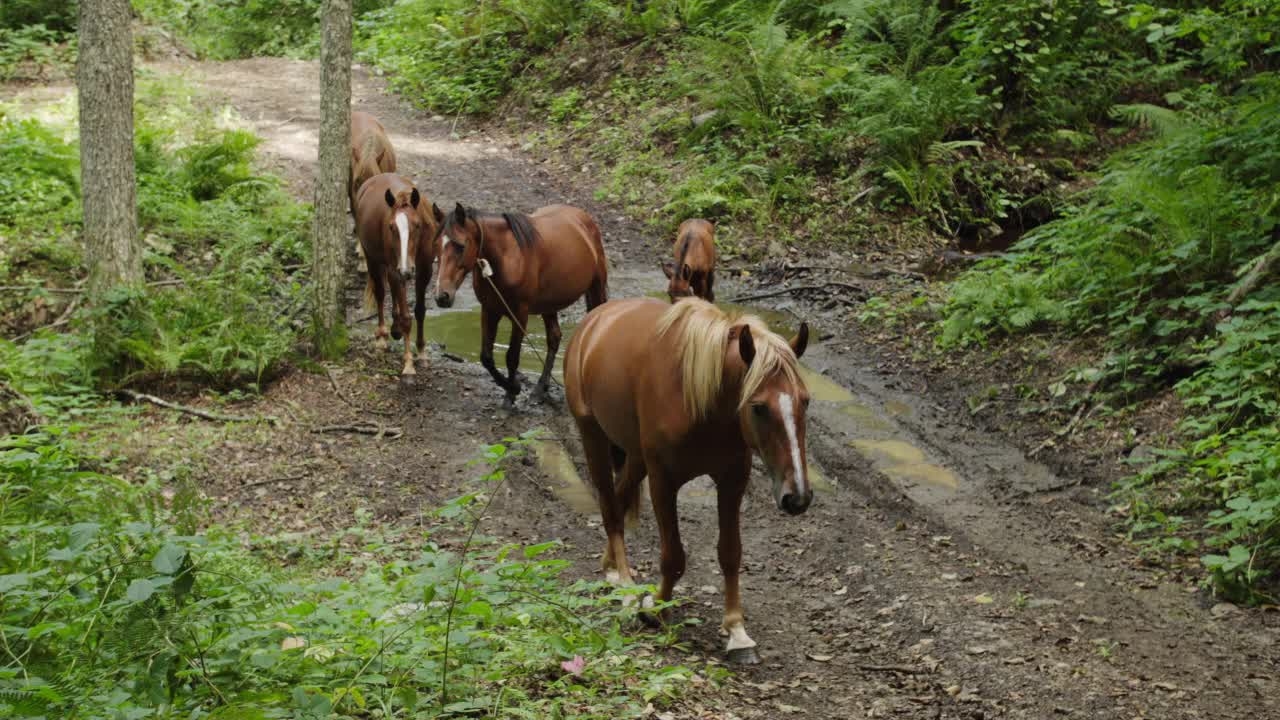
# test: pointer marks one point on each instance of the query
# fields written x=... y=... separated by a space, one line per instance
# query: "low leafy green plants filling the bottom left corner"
x=116 y=604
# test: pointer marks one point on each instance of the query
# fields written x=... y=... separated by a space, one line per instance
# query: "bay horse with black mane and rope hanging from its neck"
x=523 y=265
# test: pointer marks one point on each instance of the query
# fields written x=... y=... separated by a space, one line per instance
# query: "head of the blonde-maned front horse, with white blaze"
x=772 y=413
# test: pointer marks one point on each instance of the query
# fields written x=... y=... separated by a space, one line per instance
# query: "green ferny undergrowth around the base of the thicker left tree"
x=225 y=248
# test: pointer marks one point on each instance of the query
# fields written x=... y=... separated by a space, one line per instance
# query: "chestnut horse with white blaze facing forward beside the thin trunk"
x=396 y=226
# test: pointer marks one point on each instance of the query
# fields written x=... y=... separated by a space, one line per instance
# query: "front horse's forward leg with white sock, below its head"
x=730 y=489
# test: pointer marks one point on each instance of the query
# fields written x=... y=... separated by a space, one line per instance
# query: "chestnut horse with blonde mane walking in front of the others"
x=680 y=391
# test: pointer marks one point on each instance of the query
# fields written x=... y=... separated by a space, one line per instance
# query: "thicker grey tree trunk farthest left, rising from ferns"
x=104 y=76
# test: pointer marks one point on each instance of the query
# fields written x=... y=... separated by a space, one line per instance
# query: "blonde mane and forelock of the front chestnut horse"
x=702 y=341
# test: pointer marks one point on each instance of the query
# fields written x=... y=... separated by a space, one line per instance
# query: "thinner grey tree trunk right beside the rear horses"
x=330 y=233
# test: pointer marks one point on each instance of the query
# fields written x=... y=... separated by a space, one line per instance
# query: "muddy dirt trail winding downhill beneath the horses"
x=940 y=573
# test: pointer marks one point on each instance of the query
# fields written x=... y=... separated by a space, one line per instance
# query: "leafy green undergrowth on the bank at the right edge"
x=1149 y=261
